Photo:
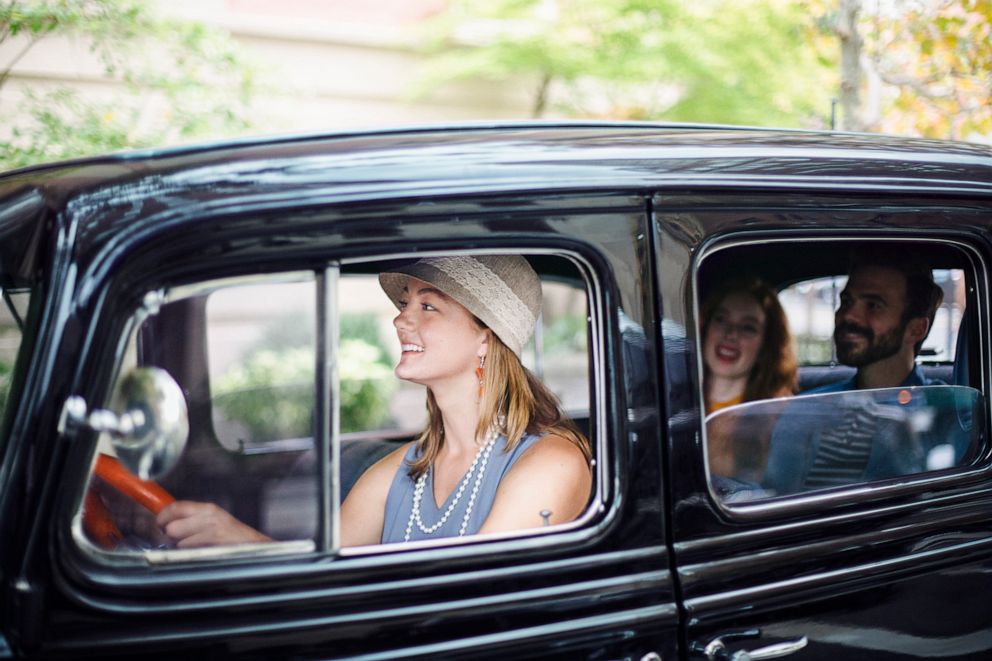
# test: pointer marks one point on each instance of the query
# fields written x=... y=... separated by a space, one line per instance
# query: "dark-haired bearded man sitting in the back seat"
x=886 y=311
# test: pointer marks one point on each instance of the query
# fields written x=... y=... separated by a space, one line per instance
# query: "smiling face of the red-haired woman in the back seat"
x=734 y=336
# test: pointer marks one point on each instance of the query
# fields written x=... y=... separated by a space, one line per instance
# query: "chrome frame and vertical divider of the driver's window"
x=327 y=435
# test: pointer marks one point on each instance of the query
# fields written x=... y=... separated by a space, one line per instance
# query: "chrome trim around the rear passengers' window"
x=859 y=492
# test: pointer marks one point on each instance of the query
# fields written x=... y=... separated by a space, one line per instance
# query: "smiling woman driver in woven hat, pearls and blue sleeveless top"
x=497 y=453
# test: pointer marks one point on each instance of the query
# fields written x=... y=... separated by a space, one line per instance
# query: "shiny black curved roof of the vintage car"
x=104 y=193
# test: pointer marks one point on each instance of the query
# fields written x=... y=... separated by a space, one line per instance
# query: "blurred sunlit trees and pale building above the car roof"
x=80 y=77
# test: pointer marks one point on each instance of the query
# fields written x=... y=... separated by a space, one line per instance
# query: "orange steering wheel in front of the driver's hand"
x=98 y=522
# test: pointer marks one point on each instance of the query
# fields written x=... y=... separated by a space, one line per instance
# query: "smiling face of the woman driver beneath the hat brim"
x=440 y=340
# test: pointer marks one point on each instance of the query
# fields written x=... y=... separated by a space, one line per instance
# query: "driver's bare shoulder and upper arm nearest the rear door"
x=551 y=476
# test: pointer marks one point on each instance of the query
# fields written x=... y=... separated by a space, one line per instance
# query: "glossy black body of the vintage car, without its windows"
x=662 y=568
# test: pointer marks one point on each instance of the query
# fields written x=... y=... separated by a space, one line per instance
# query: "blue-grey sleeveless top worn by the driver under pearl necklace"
x=399 y=502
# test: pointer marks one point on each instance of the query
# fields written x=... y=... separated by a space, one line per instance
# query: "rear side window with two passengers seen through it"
x=830 y=364
